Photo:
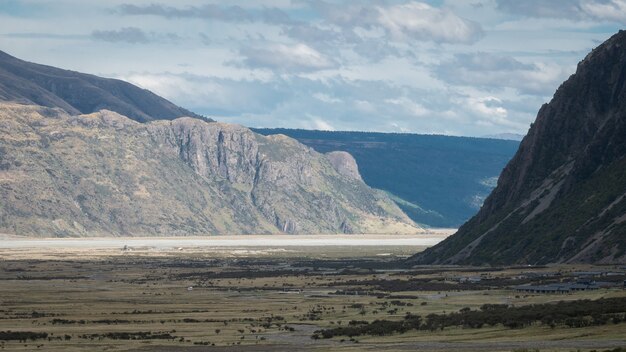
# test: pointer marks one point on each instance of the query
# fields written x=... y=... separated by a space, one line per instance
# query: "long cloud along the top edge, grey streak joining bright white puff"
x=412 y=20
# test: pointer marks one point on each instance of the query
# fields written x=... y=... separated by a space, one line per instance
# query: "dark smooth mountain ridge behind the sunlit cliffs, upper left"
x=79 y=93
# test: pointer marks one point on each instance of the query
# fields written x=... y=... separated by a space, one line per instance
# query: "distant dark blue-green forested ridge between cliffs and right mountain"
x=439 y=181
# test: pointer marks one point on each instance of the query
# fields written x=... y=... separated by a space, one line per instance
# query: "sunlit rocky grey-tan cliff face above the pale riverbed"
x=104 y=174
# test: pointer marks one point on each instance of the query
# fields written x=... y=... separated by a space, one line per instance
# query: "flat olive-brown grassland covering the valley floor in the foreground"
x=265 y=299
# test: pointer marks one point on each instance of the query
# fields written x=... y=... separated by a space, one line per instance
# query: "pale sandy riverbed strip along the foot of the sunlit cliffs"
x=326 y=246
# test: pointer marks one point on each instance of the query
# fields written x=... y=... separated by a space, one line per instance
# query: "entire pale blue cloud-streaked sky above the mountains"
x=470 y=68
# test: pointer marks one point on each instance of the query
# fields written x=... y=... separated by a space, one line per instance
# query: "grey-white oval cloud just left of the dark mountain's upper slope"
x=492 y=72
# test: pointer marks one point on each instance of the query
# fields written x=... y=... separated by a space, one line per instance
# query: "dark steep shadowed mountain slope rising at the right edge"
x=562 y=198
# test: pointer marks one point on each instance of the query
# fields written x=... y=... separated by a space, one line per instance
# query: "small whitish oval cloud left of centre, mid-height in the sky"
x=286 y=58
